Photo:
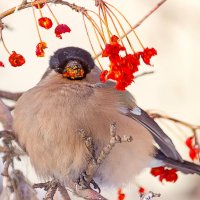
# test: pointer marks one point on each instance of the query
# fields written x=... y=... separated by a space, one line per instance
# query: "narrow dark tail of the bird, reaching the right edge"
x=185 y=166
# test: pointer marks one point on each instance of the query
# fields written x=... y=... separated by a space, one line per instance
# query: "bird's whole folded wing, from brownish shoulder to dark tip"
x=133 y=111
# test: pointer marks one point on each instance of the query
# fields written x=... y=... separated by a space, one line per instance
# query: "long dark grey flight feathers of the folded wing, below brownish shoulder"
x=165 y=143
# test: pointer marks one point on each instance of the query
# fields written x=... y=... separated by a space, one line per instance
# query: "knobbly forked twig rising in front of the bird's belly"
x=82 y=186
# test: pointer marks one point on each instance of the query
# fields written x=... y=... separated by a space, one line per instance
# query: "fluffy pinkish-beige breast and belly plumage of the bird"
x=47 y=124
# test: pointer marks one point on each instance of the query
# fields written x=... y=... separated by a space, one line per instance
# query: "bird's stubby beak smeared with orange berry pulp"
x=74 y=71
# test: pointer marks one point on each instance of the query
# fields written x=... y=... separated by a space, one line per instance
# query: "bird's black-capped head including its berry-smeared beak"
x=72 y=62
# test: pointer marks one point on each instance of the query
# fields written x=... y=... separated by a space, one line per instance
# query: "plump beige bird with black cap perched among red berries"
x=70 y=97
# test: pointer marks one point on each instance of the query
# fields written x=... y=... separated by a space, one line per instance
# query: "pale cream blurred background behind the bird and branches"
x=174 y=30
